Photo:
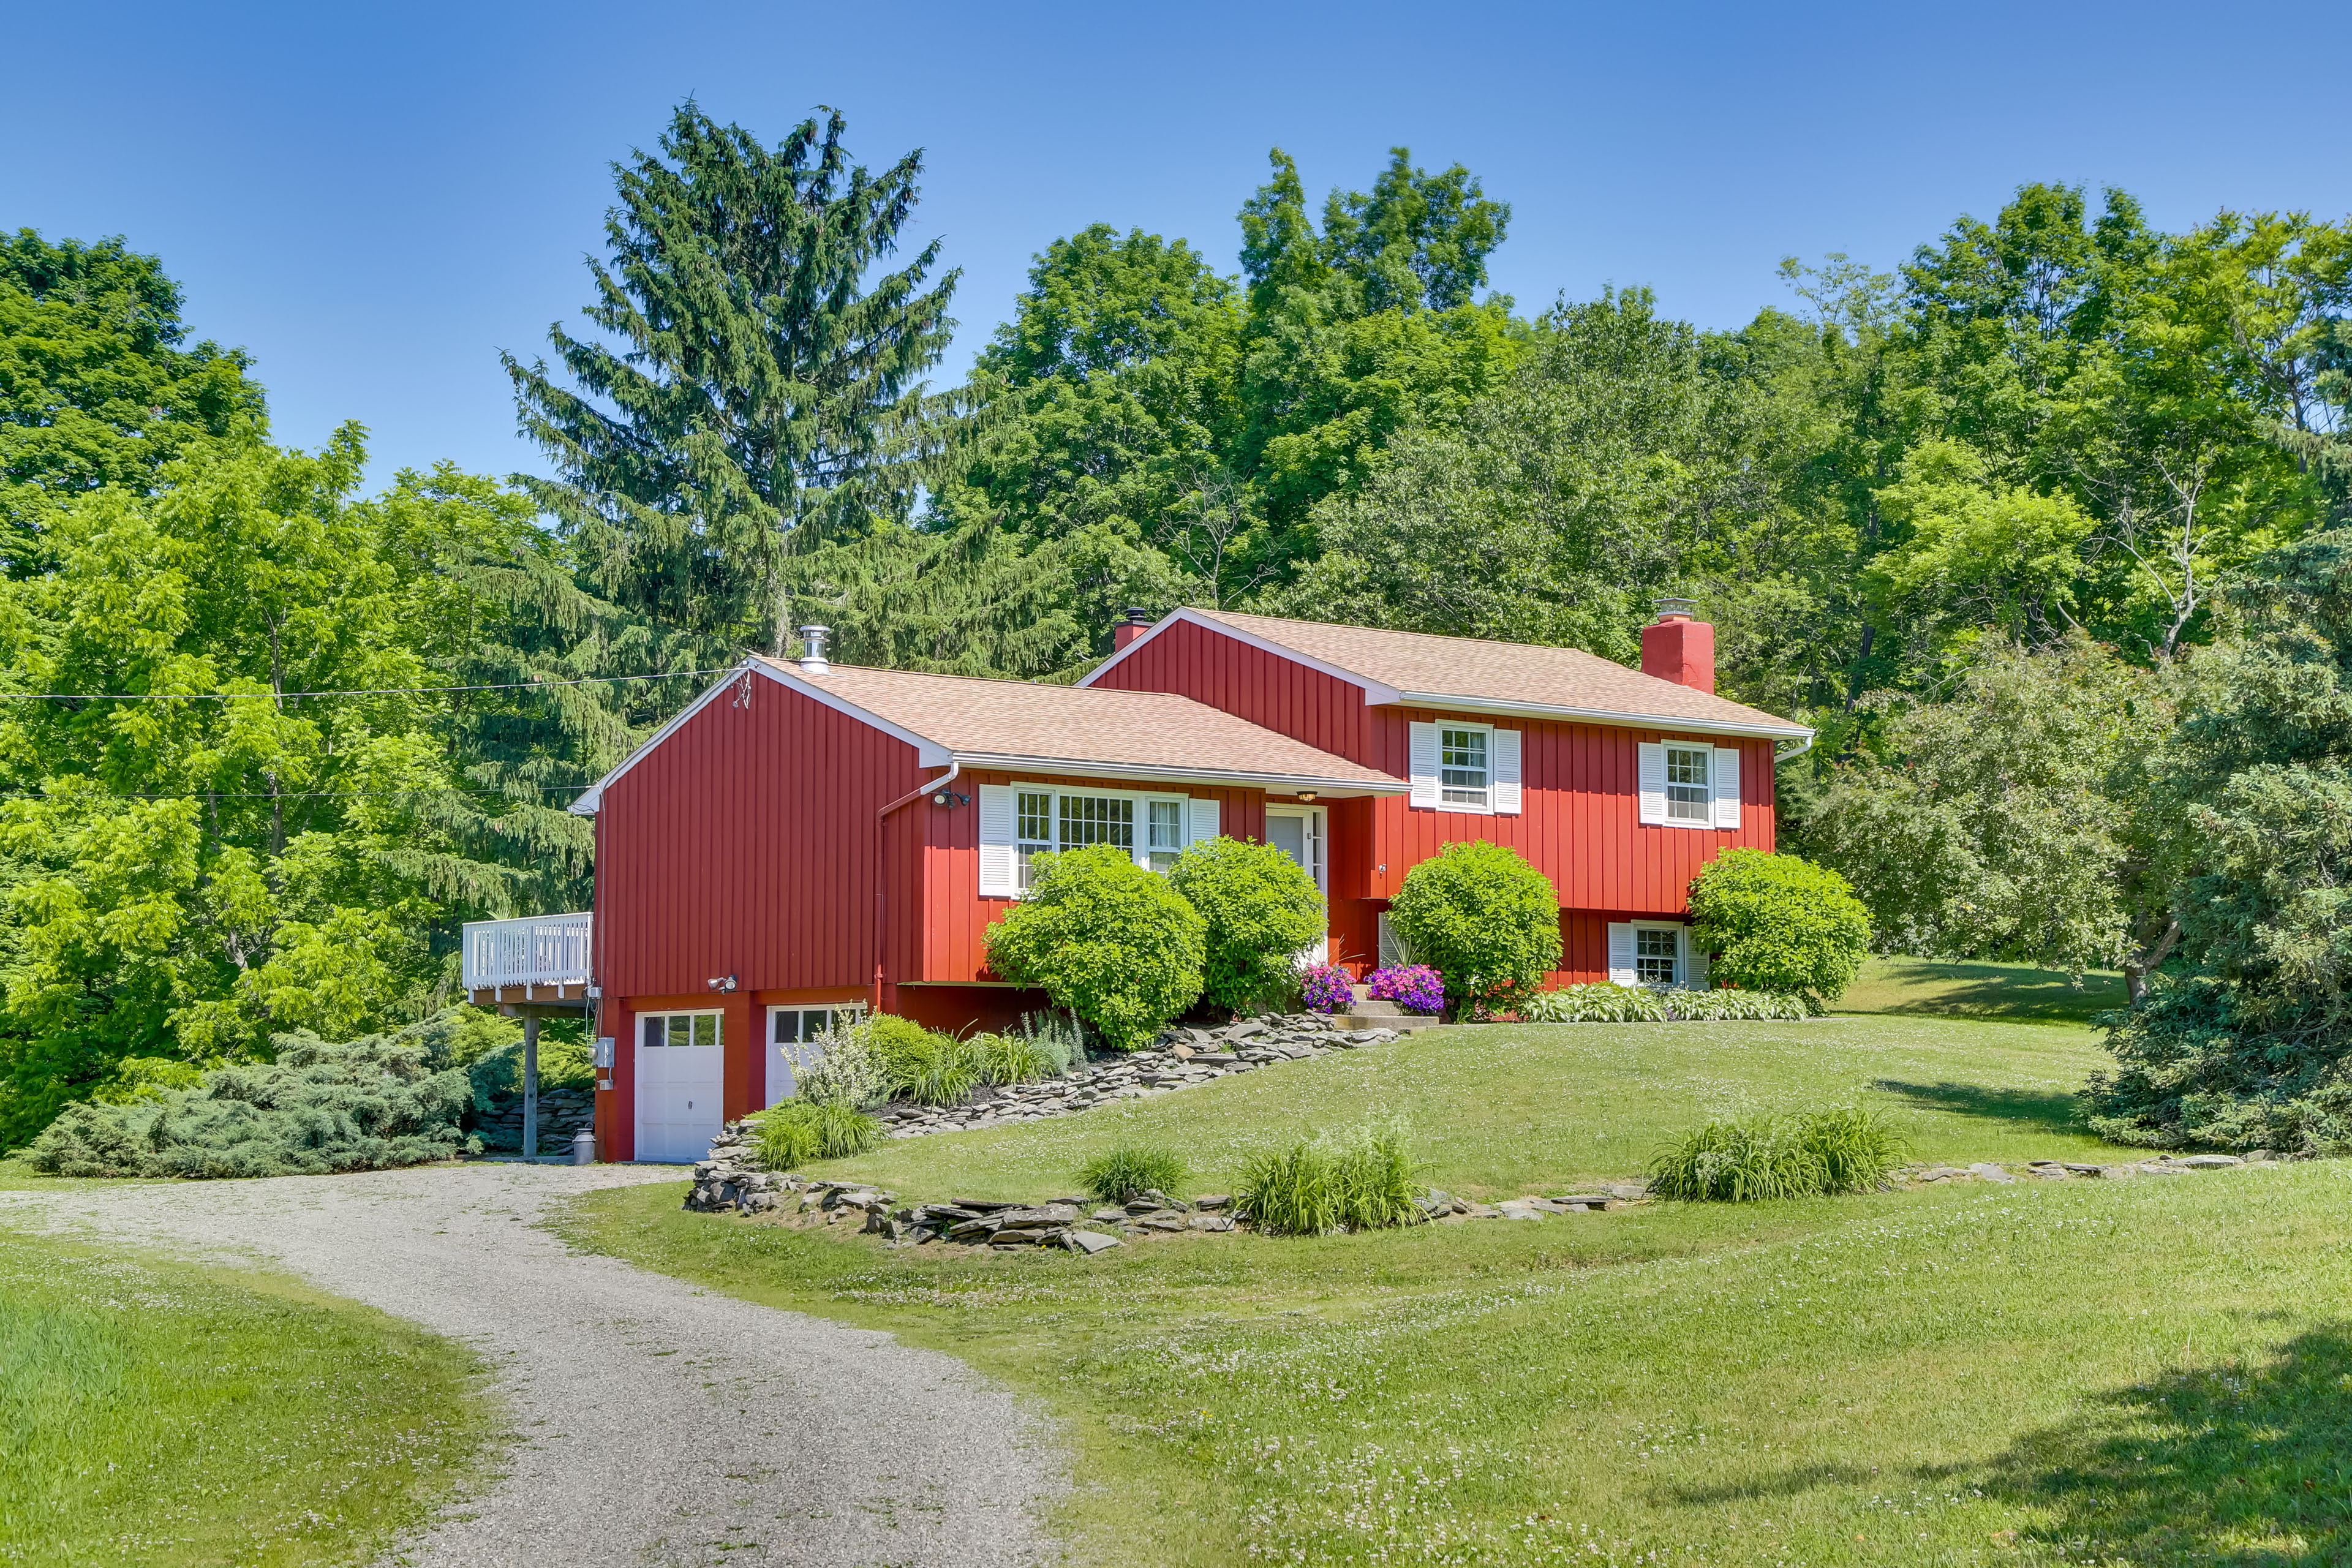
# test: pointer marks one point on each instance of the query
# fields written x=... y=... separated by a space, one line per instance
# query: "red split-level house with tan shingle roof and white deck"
x=808 y=840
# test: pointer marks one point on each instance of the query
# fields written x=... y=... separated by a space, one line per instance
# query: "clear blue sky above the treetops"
x=377 y=199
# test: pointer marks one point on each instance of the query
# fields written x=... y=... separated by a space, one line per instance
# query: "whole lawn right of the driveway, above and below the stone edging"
x=2151 y=1372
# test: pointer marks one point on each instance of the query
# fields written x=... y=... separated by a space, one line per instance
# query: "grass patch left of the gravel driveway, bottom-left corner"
x=187 y=1416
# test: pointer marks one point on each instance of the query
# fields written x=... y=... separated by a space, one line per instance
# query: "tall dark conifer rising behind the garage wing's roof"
x=763 y=391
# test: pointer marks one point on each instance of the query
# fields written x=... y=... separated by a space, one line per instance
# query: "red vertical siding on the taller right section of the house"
x=1579 y=819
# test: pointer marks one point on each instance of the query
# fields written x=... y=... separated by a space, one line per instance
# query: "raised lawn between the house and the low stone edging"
x=1518 y=1108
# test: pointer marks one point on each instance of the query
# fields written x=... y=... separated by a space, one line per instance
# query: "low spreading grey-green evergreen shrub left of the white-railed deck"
x=323 y=1106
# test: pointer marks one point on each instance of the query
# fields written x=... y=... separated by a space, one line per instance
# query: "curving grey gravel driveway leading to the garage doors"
x=655 y=1423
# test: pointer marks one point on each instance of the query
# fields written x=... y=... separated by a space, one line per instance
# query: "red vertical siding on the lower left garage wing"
x=744 y=845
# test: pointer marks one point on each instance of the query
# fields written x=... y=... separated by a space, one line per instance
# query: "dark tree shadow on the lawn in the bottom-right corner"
x=2233 y=1466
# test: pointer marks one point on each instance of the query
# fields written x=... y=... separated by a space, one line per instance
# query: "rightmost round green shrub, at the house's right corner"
x=1779 y=925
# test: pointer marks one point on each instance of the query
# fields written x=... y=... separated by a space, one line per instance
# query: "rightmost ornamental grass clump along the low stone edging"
x=1779 y=1158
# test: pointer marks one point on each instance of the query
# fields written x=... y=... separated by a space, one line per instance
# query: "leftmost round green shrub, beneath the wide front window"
x=1104 y=939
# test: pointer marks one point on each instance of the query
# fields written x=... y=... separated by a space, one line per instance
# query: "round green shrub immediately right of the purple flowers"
x=1485 y=920
